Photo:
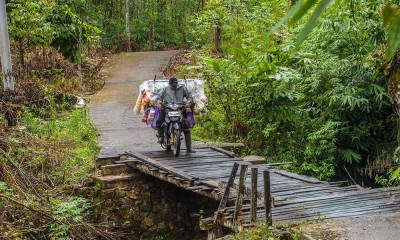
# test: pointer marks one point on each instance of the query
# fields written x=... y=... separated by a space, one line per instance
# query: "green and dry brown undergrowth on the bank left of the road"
x=48 y=148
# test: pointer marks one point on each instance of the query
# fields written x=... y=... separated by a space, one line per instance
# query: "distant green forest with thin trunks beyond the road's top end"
x=169 y=19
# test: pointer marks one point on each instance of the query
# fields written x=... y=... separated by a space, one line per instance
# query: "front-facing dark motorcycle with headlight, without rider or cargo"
x=173 y=127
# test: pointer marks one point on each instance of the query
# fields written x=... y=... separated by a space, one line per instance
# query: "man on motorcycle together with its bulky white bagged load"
x=168 y=106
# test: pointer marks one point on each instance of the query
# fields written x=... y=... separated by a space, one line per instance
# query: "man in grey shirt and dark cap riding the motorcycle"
x=174 y=94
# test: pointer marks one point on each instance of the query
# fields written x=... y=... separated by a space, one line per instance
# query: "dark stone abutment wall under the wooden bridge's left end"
x=139 y=206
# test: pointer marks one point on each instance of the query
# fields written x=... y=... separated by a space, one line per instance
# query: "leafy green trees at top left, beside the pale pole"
x=53 y=22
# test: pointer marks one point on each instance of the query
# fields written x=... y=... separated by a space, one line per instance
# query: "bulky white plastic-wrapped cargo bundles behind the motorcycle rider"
x=149 y=94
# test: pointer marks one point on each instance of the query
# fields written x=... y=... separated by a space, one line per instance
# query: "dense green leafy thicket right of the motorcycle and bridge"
x=322 y=107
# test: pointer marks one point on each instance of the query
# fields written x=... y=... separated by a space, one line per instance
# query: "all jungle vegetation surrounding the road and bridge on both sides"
x=311 y=82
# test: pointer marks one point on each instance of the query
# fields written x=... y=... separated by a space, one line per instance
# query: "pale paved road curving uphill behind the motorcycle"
x=112 y=108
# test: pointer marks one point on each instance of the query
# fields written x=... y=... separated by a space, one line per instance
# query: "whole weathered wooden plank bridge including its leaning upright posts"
x=211 y=172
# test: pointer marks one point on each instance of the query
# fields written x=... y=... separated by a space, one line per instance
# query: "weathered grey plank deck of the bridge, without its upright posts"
x=296 y=197
